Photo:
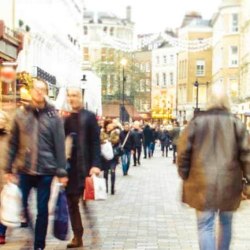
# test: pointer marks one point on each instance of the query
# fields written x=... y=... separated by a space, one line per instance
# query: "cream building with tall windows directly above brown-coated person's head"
x=226 y=48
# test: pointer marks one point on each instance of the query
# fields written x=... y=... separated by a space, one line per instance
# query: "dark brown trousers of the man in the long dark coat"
x=74 y=213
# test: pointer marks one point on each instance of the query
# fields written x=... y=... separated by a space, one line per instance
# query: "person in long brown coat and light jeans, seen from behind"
x=213 y=156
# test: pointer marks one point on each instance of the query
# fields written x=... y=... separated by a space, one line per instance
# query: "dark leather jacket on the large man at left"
x=36 y=144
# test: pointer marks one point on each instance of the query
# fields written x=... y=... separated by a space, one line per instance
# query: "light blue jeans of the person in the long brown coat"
x=206 y=230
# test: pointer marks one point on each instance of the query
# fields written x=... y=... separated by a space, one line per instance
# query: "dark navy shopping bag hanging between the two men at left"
x=61 y=217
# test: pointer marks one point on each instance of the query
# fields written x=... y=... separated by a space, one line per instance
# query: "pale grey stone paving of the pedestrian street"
x=145 y=213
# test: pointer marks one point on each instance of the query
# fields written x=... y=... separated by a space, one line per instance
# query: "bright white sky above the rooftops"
x=155 y=15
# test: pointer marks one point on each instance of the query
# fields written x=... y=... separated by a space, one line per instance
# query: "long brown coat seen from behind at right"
x=213 y=155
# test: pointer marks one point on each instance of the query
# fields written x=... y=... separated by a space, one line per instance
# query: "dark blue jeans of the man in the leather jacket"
x=43 y=184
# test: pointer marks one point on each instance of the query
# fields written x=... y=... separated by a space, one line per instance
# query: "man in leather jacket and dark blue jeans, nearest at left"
x=37 y=151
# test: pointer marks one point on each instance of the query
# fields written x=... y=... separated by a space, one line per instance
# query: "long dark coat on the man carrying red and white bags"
x=88 y=152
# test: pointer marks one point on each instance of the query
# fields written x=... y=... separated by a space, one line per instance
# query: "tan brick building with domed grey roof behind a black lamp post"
x=194 y=67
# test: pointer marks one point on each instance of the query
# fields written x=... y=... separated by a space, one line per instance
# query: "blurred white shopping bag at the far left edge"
x=11 y=205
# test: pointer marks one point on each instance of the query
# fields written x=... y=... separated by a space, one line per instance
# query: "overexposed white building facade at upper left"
x=52 y=46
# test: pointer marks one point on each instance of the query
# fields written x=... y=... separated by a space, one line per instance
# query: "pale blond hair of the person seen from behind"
x=219 y=98
